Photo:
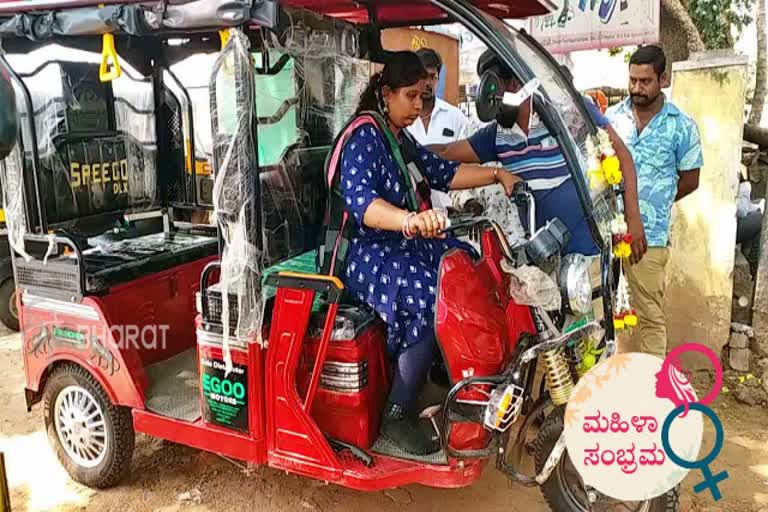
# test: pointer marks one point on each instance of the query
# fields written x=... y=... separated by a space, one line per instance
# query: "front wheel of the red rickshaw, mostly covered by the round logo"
x=564 y=491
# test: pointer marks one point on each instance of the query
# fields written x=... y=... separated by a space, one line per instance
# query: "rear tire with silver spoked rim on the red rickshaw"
x=71 y=396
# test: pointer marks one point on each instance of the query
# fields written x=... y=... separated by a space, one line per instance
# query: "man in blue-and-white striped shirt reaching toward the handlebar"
x=523 y=145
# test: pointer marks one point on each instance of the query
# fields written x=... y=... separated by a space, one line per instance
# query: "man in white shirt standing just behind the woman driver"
x=439 y=122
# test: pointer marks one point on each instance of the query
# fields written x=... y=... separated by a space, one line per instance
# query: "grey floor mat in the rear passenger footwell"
x=174 y=387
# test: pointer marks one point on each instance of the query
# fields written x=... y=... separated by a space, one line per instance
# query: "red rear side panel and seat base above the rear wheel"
x=136 y=324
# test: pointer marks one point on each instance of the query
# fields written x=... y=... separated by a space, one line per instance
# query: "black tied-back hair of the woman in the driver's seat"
x=402 y=69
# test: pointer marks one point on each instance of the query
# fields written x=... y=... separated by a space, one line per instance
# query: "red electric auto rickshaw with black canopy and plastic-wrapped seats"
x=164 y=202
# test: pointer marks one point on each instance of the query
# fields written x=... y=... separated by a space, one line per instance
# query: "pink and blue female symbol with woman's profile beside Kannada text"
x=671 y=386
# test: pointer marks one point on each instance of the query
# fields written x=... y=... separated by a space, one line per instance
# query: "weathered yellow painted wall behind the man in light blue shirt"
x=699 y=274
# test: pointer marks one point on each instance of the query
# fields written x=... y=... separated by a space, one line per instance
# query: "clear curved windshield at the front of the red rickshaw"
x=562 y=100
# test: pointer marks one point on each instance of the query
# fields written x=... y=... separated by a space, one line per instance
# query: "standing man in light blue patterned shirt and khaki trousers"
x=666 y=148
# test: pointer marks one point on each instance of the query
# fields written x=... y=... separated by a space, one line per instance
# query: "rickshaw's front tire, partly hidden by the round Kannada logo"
x=559 y=494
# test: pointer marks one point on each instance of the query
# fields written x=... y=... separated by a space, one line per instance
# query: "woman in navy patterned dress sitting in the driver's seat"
x=394 y=254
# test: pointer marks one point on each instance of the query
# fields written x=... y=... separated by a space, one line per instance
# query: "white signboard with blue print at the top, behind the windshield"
x=593 y=24
